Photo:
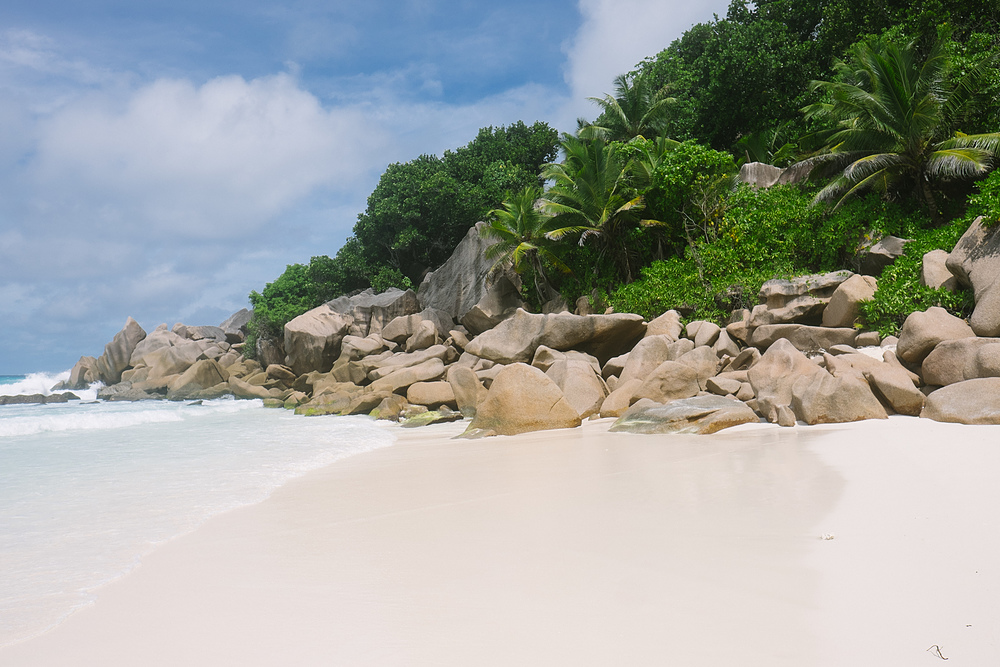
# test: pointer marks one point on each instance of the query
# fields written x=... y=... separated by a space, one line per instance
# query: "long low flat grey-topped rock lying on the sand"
x=701 y=415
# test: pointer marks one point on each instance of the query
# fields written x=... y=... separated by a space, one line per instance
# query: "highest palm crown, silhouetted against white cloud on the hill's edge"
x=635 y=110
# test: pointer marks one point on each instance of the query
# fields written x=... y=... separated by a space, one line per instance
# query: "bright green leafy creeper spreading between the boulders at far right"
x=899 y=290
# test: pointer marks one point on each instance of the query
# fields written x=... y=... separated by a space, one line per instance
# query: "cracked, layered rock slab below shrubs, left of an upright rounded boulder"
x=800 y=299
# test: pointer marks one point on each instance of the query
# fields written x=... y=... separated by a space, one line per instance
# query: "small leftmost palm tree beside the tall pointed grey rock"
x=518 y=230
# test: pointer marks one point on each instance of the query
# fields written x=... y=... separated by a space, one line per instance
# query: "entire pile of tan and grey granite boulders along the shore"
x=435 y=355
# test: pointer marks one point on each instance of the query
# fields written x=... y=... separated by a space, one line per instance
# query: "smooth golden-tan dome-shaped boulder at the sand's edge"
x=523 y=399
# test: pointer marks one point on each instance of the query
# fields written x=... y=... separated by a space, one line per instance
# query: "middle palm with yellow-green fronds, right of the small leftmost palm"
x=591 y=196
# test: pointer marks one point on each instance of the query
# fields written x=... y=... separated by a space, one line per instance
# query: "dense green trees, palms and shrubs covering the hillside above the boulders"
x=891 y=107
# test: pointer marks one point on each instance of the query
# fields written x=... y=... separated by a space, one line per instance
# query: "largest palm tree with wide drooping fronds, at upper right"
x=892 y=116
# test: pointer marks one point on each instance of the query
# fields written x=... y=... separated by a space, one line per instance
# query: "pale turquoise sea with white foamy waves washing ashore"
x=87 y=488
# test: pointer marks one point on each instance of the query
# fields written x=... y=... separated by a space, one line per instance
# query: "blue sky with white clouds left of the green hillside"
x=160 y=160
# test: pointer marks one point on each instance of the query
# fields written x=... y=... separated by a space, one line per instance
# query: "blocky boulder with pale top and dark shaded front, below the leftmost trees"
x=312 y=340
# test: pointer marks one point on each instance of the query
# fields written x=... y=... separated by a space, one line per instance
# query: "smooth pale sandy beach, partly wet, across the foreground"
x=581 y=547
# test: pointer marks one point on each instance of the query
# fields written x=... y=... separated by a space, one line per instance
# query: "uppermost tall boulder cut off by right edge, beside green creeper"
x=975 y=261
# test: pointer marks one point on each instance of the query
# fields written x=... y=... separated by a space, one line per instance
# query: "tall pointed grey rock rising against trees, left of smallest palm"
x=460 y=283
